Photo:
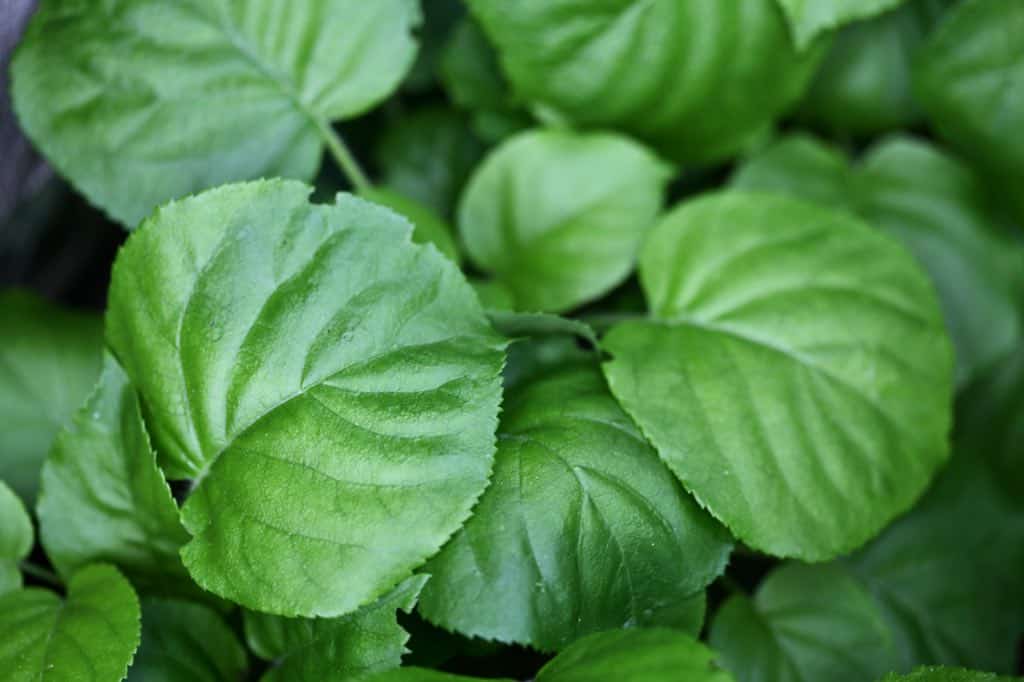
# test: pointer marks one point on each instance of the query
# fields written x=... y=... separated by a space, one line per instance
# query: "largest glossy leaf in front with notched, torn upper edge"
x=331 y=389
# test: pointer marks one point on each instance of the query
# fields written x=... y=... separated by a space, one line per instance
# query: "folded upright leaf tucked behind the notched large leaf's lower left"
x=105 y=499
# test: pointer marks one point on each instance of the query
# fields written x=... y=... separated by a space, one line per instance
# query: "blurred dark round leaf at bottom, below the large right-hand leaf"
x=805 y=623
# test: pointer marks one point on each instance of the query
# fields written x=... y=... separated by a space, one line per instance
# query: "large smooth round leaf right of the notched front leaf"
x=796 y=377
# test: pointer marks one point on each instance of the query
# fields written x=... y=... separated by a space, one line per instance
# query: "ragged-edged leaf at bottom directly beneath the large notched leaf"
x=343 y=649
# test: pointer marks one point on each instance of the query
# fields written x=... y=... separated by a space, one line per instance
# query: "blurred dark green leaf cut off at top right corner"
x=970 y=79
